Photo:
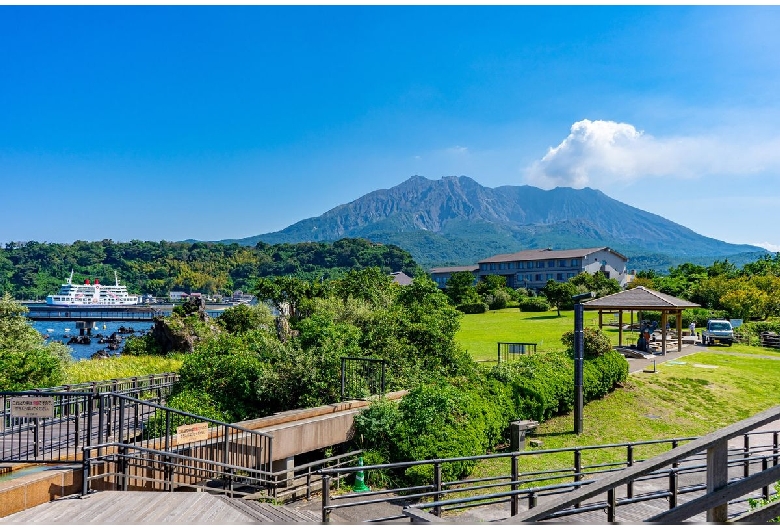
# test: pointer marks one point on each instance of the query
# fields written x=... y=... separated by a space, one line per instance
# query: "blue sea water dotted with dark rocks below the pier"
x=53 y=331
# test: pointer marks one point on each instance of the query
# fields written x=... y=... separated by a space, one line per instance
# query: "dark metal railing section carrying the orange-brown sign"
x=150 y=449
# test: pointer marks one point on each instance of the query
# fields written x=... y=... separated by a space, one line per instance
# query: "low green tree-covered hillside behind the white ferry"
x=32 y=270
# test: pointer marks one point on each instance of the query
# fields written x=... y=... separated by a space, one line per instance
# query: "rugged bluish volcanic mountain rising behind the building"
x=455 y=220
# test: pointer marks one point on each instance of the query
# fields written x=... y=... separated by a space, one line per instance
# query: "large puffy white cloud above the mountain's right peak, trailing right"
x=597 y=153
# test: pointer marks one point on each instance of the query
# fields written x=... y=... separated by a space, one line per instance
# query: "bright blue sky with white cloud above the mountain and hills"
x=203 y=122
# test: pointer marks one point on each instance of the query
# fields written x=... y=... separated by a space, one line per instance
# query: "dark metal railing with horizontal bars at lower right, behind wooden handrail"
x=682 y=477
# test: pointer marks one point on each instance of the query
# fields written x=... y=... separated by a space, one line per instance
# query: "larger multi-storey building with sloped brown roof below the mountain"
x=531 y=269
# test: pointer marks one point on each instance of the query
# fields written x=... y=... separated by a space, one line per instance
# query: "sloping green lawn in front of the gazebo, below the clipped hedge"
x=690 y=396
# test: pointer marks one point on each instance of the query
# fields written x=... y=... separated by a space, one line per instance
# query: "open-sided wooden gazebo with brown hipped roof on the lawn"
x=642 y=299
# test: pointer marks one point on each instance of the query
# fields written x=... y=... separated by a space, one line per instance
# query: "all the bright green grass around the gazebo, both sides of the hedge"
x=690 y=396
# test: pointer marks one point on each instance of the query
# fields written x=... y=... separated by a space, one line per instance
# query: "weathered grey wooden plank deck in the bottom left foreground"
x=142 y=507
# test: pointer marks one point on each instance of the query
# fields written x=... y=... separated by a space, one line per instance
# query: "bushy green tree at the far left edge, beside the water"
x=26 y=361
